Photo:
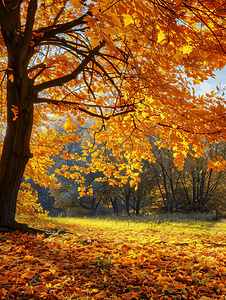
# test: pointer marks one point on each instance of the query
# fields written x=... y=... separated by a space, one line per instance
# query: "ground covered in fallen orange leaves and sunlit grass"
x=112 y=259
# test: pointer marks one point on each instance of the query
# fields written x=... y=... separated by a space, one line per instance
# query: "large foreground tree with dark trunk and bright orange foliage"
x=128 y=65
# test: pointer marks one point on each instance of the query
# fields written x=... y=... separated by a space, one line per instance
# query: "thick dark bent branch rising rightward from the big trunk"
x=60 y=81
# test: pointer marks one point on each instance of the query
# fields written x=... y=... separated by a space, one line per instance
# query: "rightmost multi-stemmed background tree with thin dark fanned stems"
x=202 y=184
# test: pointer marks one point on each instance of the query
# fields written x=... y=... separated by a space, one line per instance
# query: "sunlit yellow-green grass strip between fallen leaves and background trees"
x=193 y=221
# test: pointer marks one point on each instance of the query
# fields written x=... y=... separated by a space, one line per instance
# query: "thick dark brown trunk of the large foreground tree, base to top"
x=16 y=152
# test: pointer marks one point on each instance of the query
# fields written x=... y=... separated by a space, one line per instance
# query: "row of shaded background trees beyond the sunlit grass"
x=161 y=186
